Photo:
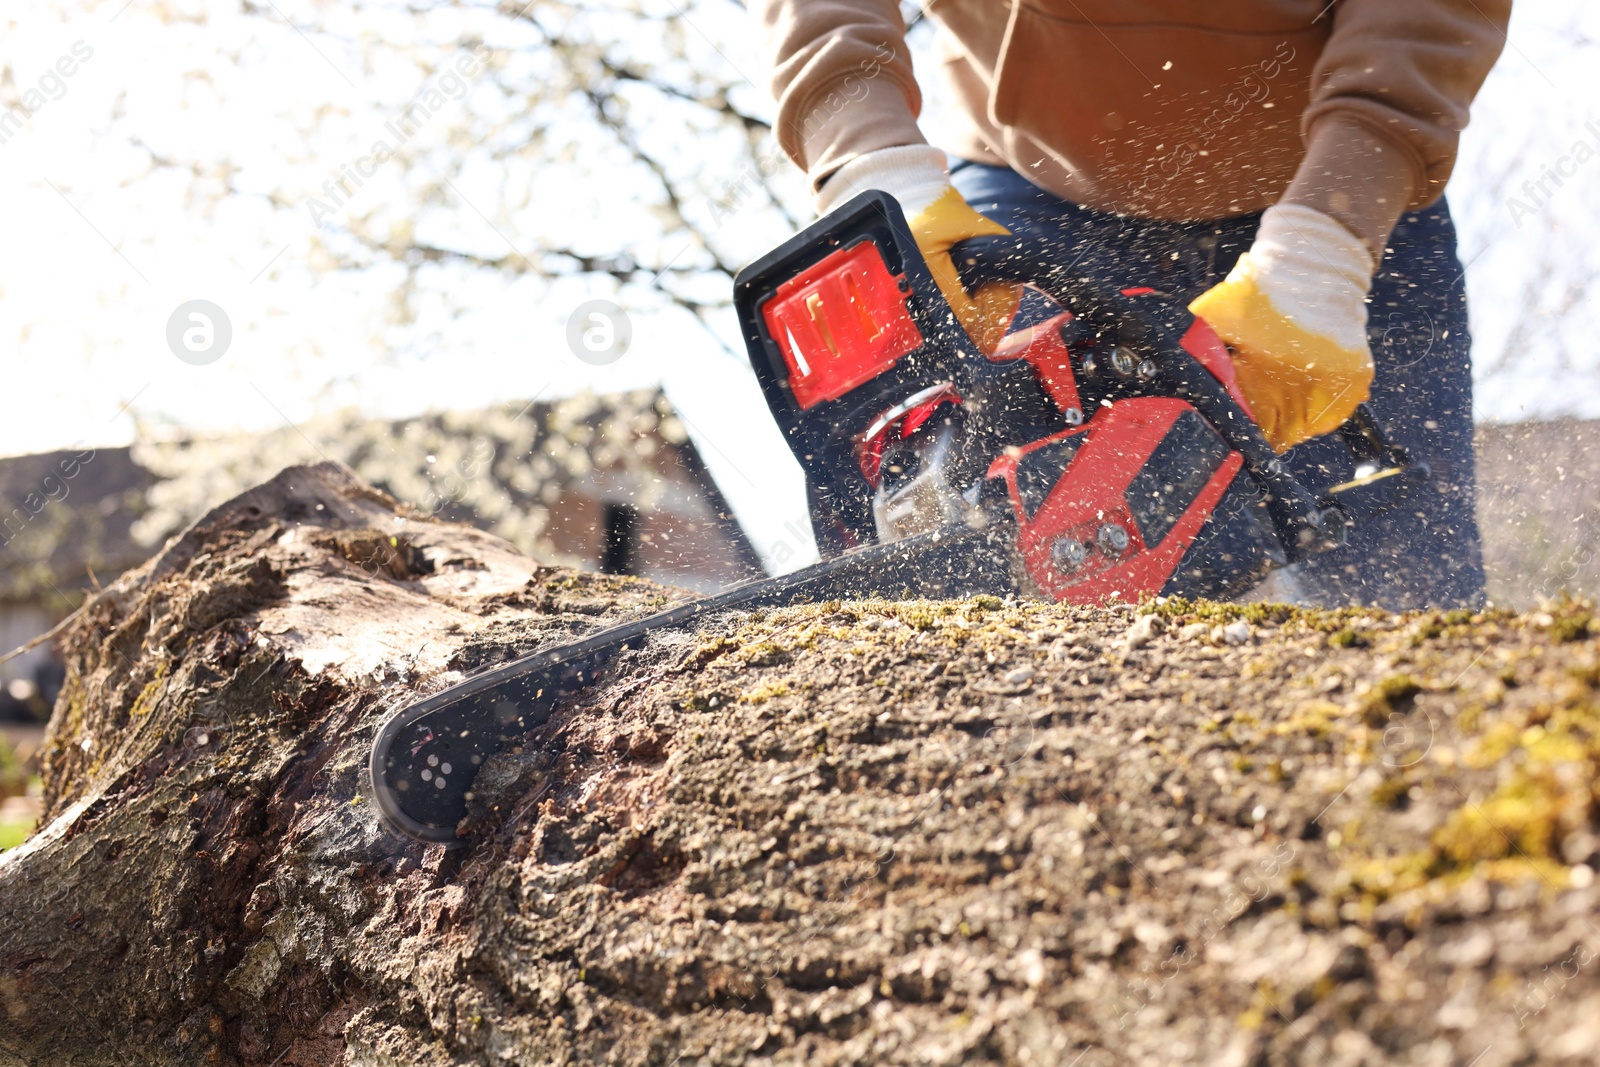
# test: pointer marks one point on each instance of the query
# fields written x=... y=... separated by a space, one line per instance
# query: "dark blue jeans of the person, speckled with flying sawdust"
x=1423 y=554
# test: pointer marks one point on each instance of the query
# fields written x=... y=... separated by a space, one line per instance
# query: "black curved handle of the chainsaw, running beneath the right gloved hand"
x=1153 y=326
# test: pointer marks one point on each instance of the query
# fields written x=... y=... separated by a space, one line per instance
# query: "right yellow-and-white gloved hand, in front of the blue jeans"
x=1294 y=311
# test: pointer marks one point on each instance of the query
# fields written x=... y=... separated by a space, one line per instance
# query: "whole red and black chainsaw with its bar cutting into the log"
x=1102 y=454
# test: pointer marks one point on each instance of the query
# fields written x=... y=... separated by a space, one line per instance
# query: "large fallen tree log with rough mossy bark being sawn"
x=866 y=833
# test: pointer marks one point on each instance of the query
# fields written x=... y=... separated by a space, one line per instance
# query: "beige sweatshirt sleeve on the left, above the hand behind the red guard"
x=842 y=79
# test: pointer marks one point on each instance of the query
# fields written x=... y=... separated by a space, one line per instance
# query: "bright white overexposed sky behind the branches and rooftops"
x=102 y=249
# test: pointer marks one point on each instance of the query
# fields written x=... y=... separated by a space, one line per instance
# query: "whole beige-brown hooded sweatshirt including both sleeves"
x=1174 y=110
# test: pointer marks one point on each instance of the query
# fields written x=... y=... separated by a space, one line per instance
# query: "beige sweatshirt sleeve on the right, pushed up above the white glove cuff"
x=1390 y=100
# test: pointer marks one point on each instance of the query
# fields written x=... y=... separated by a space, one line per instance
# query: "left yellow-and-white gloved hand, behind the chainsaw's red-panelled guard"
x=919 y=178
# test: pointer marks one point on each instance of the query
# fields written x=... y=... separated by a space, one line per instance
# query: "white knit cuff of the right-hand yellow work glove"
x=1314 y=271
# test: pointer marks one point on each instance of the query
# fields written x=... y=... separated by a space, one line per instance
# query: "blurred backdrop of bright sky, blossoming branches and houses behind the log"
x=244 y=236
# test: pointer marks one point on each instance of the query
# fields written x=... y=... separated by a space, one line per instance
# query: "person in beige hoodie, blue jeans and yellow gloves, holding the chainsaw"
x=1278 y=162
